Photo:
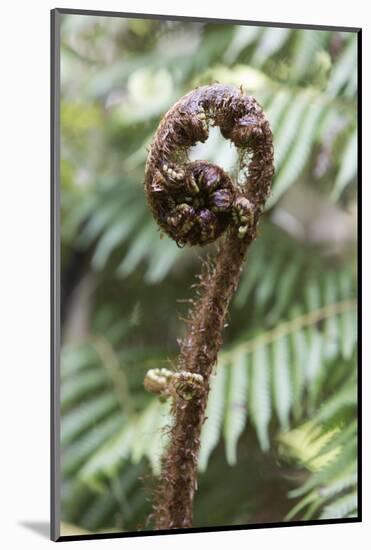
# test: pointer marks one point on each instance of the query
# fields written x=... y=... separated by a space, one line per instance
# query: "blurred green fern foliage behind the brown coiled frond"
x=280 y=439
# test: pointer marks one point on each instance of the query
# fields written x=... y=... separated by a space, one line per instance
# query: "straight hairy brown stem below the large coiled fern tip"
x=199 y=350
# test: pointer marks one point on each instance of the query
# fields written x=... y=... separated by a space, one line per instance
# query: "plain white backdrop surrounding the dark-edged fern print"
x=24 y=253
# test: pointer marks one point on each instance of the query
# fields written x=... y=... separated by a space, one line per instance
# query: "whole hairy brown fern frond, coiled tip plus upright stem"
x=195 y=203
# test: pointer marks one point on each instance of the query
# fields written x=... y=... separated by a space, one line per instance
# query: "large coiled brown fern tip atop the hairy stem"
x=195 y=202
